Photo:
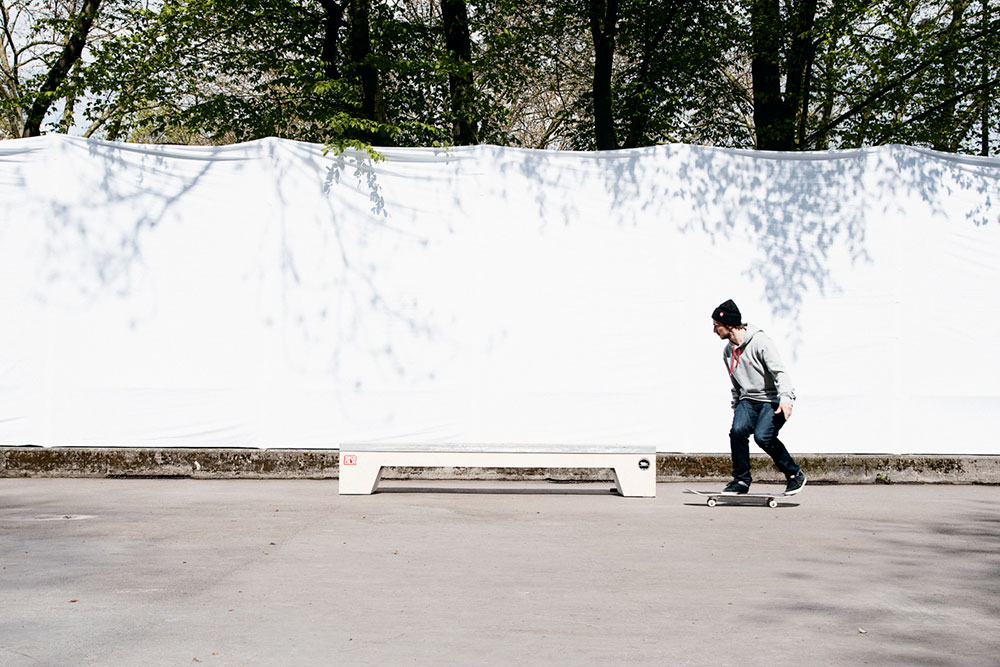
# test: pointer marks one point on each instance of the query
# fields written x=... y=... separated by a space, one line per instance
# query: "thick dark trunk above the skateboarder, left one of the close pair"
x=774 y=126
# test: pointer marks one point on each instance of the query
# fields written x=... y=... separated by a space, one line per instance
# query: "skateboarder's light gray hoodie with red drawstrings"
x=756 y=370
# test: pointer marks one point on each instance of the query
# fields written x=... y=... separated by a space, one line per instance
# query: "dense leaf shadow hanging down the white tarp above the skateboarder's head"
x=791 y=211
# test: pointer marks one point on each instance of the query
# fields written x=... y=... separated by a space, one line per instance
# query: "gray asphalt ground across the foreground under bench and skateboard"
x=287 y=572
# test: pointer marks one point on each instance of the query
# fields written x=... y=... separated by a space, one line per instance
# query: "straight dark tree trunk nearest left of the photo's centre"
x=460 y=80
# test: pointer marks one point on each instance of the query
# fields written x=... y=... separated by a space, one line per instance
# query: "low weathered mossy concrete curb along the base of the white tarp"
x=323 y=464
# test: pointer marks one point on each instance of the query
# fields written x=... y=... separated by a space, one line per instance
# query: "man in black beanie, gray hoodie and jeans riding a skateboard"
x=762 y=398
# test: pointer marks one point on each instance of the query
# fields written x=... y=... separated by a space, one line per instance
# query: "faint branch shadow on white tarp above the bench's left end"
x=335 y=290
